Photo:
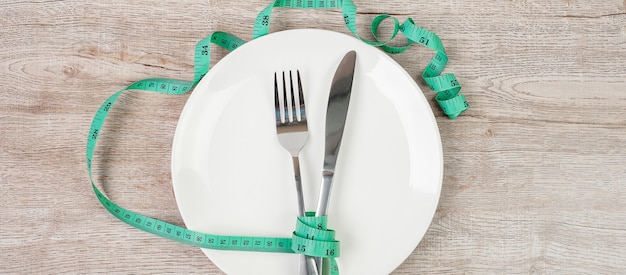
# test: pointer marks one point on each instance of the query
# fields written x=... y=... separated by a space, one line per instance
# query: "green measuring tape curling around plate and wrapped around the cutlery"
x=324 y=245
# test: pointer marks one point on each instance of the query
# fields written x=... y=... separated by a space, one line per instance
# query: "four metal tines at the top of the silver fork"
x=289 y=103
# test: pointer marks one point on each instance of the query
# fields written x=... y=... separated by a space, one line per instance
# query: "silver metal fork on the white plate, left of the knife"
x=292 y=132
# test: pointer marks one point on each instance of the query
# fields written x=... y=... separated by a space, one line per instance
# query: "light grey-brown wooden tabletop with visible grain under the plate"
x=535 y=171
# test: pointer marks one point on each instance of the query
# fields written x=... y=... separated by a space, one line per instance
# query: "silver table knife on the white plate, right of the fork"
x=336 y=114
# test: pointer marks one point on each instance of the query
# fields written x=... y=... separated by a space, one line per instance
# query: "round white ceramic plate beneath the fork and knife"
x=232 y=177
